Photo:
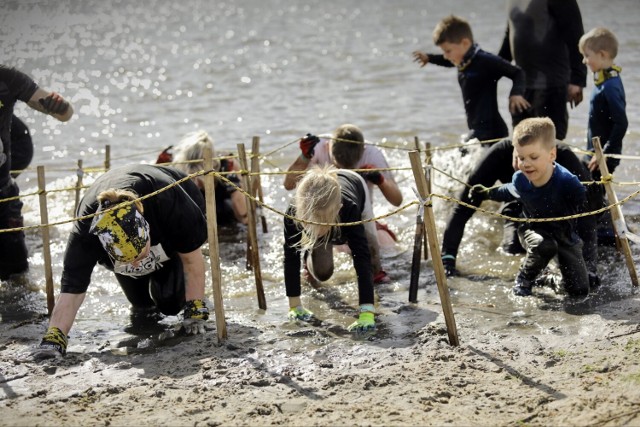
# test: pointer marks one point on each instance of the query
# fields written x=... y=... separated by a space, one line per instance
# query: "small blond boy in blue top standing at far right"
x=607 y=116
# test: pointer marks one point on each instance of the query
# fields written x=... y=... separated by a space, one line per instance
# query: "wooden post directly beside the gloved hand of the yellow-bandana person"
x=214 y=252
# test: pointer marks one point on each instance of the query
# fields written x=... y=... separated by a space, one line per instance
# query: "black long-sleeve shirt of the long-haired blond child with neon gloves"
x=353 y=202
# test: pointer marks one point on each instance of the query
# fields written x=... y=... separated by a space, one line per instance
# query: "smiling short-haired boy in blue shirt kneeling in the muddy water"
x=546 y=190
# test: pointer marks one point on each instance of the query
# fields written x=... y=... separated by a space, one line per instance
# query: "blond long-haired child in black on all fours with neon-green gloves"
x=328 y=195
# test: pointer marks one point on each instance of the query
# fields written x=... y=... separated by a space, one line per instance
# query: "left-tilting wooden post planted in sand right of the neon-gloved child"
x=438 y=268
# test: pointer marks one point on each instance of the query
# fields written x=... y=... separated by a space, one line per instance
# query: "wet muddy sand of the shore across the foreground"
x=544 y=360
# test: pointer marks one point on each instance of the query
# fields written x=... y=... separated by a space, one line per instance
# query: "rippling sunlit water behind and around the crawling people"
x=140 y=80
